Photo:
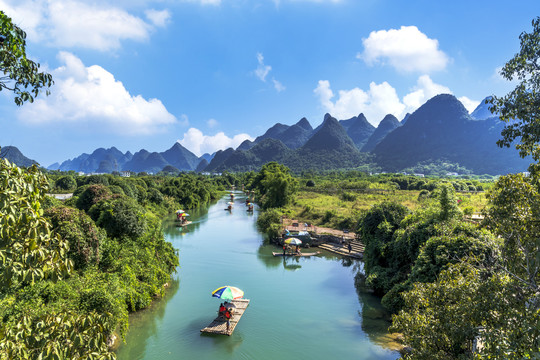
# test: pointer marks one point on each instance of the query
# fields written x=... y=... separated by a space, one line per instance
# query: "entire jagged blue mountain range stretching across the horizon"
x=440 y=130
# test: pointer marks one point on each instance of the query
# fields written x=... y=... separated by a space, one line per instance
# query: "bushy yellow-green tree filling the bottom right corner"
x=442 y=320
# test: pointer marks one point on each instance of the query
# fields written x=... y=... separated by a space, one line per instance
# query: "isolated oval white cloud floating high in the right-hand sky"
x=406 y=49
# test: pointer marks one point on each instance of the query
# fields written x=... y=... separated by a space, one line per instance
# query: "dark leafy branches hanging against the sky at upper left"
x=18 y=73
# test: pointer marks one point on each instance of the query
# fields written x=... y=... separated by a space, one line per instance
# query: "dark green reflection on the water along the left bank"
x=145 y=322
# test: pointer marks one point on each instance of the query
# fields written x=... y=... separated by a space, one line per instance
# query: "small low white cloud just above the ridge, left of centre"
x=198 y=143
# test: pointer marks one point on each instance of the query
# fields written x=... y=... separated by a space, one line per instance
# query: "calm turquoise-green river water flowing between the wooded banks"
x=304 y=308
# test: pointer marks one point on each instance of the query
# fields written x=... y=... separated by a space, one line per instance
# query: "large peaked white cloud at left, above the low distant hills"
x=90 y=97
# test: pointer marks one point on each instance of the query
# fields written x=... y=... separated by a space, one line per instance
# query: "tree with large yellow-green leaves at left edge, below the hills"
x=28 y=250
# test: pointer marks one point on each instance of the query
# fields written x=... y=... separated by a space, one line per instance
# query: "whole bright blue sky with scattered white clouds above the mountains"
x=210 y=74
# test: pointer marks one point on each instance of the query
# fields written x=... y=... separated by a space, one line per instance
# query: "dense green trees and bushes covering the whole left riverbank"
x=71 y=272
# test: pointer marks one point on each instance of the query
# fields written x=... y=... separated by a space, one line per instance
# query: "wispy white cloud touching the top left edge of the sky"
x=73 y=23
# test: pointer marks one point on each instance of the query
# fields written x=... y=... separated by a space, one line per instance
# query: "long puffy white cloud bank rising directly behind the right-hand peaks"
x=381 y=99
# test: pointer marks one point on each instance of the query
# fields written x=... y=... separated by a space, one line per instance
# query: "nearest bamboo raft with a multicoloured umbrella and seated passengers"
x=234 y=297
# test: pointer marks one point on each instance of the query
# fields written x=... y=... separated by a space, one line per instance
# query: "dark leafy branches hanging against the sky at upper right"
x=519 y=108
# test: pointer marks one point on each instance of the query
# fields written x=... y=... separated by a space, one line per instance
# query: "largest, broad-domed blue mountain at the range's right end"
x=442 y=129
